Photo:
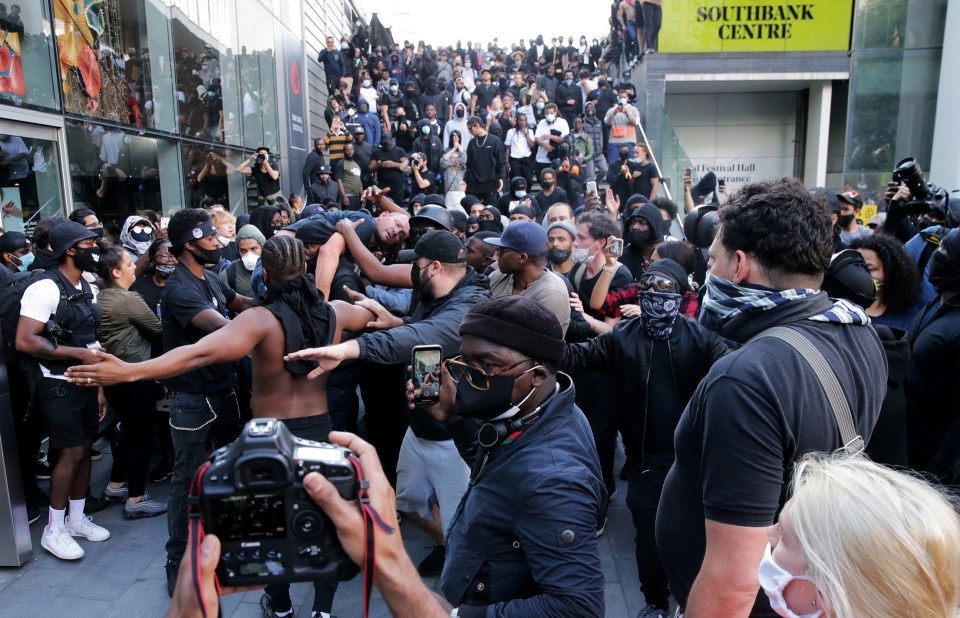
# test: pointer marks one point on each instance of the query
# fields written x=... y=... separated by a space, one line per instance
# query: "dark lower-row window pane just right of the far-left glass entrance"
x=118 y=173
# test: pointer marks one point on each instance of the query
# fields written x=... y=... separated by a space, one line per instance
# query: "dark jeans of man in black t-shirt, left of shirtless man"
x=195 y=419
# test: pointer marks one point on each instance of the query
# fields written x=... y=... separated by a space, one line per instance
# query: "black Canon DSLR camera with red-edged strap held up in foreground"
x=270 y=531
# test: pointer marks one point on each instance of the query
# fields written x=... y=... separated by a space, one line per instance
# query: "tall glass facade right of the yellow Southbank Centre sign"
x=893 y=87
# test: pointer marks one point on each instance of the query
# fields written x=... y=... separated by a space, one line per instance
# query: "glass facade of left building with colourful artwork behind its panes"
x=159 y=100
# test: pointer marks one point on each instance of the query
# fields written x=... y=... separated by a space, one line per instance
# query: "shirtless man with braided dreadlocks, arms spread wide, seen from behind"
x=291 y=315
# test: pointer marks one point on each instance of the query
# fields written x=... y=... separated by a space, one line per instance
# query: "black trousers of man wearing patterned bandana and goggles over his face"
x=643 y=497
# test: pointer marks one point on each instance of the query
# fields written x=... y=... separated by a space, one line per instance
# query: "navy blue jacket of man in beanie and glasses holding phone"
x=523 y=541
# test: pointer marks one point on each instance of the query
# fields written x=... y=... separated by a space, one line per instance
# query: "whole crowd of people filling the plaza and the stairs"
x=733 y=342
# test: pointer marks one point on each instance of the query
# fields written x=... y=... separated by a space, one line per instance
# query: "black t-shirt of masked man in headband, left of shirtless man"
x=184 y=297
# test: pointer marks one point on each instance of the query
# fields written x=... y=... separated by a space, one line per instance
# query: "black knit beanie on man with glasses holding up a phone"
x=517 y=323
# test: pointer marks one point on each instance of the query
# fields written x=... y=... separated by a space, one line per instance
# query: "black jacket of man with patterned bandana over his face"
x=627 y=351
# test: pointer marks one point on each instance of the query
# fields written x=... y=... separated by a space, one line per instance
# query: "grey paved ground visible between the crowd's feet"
x=124 y=575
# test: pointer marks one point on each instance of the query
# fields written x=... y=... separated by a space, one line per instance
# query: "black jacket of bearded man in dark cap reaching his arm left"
x=436 y=322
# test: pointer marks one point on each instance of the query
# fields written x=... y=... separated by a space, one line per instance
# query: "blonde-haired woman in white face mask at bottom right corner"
x=859 y=540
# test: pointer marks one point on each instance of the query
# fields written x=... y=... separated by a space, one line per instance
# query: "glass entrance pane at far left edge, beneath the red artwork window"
x=30 y=186
